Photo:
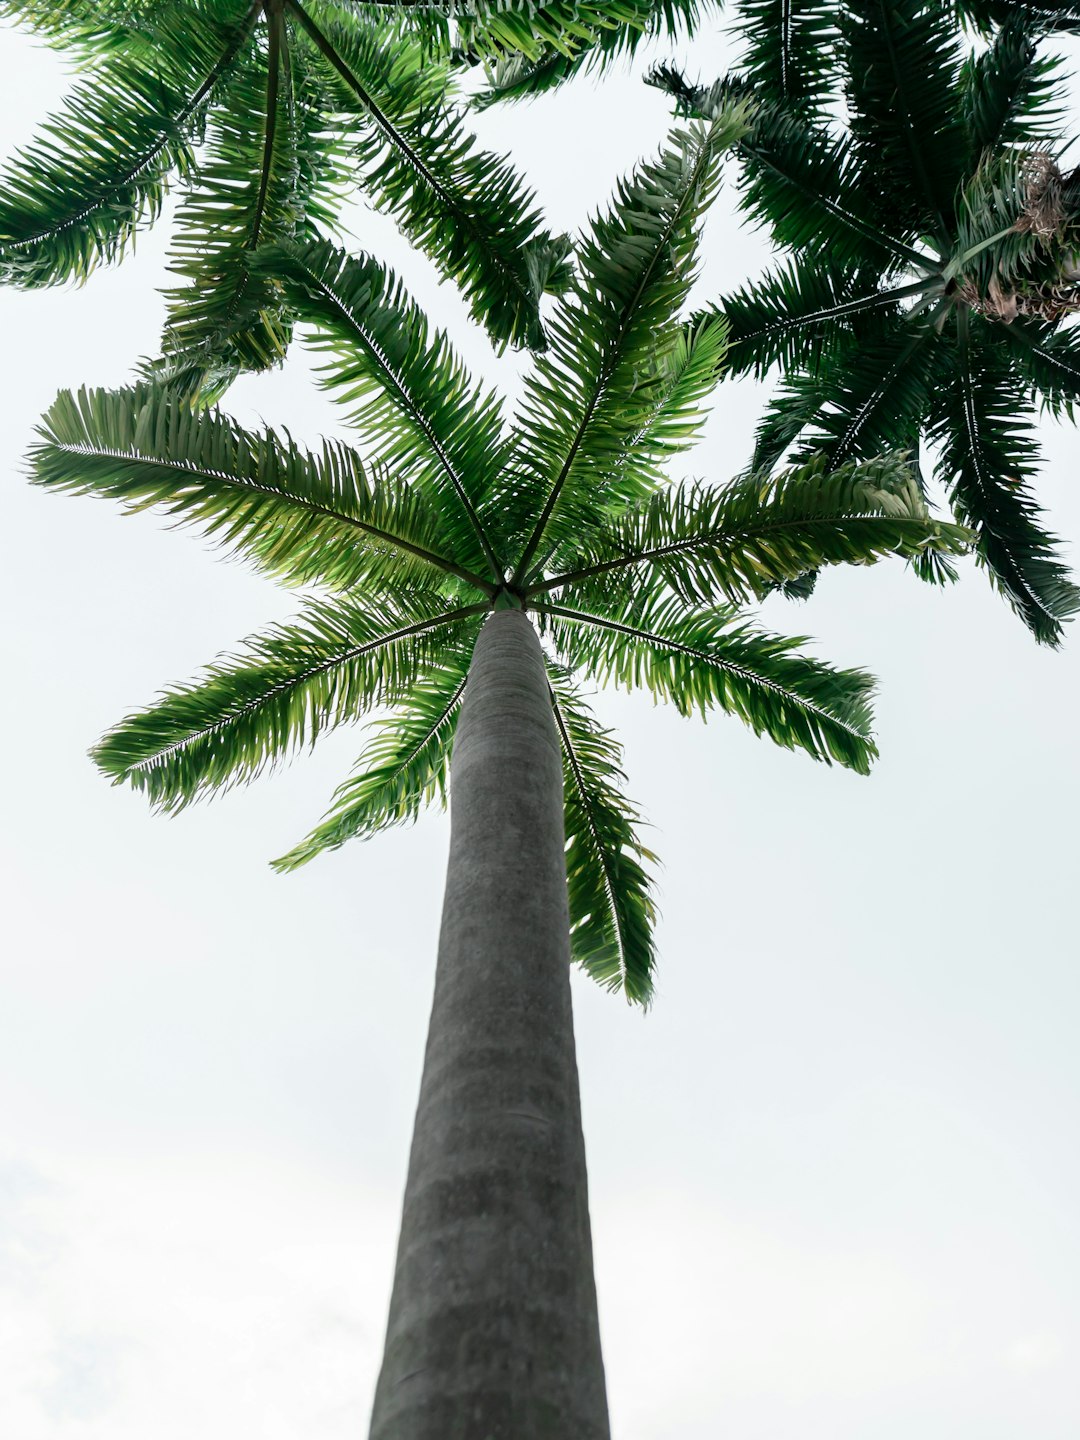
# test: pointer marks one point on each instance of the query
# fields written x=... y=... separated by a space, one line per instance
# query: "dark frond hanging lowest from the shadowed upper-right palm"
x=987 y=457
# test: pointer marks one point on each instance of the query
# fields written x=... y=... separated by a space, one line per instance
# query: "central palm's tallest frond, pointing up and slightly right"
x=595 y=391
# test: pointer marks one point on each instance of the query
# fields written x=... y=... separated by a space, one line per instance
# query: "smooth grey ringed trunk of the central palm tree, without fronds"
x=493 y=1330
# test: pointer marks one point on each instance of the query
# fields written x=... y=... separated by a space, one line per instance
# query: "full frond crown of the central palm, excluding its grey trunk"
x=456 y=513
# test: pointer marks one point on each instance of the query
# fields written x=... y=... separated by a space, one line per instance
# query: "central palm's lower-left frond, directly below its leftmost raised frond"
x=286 y=689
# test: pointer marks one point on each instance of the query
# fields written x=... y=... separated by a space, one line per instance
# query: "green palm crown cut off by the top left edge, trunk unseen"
x=271 y=113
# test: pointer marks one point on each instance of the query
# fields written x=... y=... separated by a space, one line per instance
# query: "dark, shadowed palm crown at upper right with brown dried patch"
x=934 y=243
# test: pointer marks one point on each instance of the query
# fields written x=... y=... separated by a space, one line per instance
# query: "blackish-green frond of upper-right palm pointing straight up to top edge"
x=901 y=83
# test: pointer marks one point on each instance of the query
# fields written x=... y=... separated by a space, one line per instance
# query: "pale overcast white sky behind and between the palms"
x=834 y=1173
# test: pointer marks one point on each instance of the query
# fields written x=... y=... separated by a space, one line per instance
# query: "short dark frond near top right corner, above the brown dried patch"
x=1007 y=93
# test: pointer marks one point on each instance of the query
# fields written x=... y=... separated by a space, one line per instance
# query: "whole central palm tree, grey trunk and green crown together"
x=446 y=558
